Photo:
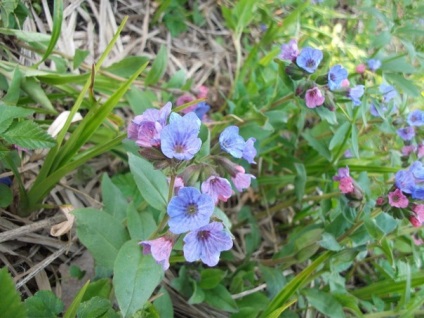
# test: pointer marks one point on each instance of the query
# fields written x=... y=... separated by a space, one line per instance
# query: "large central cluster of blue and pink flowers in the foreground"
x=172 y=142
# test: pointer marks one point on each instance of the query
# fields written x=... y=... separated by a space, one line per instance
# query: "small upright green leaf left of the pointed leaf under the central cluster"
x=114 y=202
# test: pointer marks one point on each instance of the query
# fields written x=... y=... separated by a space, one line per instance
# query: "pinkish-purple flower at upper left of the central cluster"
x=145 y=129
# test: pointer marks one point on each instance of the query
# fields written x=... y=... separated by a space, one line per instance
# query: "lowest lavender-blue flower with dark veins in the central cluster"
x=207 y=243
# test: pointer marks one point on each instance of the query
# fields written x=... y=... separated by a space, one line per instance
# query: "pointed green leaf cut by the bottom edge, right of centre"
x=324 y=303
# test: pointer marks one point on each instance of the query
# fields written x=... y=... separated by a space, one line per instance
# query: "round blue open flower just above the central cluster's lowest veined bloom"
x=189 y=210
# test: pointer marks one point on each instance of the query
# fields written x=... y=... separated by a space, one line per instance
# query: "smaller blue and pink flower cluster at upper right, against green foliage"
x=323 y=89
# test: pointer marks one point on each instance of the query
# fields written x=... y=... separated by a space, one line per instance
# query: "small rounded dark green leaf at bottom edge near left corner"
x=43 y=304
